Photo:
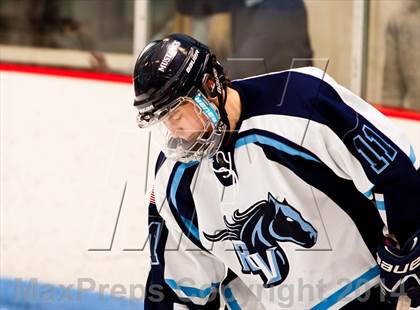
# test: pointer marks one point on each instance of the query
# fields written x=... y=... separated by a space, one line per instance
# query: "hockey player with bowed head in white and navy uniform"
x=280 y=191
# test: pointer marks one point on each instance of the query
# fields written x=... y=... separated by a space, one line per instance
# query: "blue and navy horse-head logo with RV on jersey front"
x=255 y=234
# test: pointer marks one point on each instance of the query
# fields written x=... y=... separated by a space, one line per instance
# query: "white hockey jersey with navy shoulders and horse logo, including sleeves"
x=289 y=214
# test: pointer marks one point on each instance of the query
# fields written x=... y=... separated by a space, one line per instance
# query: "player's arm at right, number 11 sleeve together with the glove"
x=382 y=164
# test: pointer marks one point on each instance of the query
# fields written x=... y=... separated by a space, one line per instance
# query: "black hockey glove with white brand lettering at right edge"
x=400 y=270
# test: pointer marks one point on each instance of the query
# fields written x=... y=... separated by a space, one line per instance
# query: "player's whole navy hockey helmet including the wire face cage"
x=173 y=72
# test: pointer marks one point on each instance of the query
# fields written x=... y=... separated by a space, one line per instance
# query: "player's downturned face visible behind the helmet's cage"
x=186 y=122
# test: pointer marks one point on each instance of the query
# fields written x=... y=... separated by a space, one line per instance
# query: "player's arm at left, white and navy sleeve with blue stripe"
x=178 y=276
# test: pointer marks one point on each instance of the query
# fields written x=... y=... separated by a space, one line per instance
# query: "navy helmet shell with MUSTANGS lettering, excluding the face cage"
x=168 y=69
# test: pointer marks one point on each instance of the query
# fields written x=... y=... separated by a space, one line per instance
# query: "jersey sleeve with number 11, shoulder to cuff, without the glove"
x=374 y=153
